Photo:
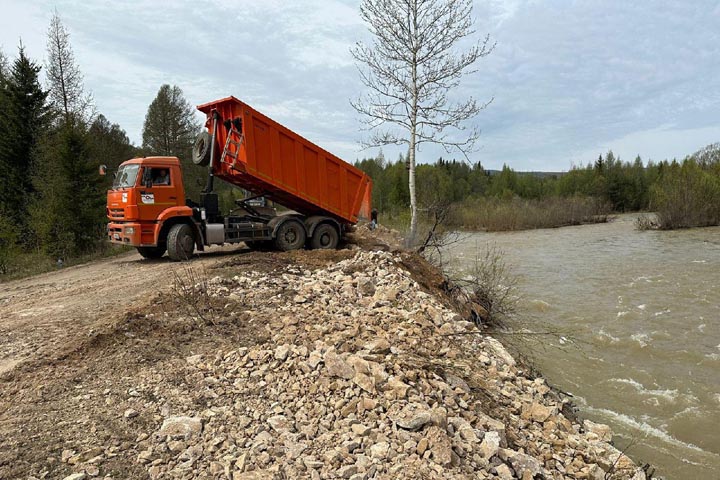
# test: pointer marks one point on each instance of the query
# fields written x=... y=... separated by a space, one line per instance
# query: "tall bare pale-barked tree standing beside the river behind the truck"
x=410 y=69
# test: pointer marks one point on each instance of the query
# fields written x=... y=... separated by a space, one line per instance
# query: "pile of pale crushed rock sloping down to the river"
x=364 y=376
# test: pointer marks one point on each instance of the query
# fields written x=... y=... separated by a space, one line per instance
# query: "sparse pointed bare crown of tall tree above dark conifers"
x=65 y=79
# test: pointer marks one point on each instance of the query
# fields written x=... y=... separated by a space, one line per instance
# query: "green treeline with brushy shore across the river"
x=682 y=193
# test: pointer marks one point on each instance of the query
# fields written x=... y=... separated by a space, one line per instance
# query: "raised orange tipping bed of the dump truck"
x=274 y=161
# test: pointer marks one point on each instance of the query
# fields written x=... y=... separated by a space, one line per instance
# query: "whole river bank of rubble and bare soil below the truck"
x=348 y=364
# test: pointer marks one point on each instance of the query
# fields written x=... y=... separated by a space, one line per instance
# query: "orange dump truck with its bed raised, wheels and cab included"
x=147 y=207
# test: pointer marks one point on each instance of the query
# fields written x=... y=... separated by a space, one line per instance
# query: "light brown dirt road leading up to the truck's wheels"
x=41 y=314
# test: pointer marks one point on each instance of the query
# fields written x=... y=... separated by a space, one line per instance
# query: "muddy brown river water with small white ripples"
x=637 y=316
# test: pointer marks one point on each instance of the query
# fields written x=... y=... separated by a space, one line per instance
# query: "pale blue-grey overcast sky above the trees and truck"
x=570 y=78
